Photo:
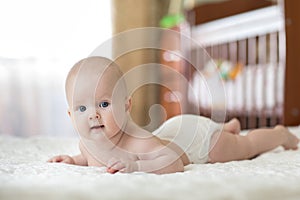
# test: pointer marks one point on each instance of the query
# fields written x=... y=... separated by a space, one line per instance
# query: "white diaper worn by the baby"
x=190 y=132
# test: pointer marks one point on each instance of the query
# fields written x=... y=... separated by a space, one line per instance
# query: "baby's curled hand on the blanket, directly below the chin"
x=120 y=165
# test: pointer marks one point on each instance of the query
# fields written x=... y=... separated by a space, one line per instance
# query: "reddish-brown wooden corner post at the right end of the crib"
x=292 y=73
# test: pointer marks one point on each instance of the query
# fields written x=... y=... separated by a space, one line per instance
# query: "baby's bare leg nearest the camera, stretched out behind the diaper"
x=228 y=146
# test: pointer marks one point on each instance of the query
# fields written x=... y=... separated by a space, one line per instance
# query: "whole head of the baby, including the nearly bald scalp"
x=97 y=96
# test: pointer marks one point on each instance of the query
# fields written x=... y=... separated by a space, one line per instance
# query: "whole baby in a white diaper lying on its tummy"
x=99 y=107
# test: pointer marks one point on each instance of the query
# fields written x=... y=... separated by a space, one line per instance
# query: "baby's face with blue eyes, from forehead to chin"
x=98 y=105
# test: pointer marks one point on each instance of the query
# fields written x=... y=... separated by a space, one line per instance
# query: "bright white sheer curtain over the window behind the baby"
x=40 y=41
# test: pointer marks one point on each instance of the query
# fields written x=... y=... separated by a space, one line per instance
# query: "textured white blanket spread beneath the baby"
x=24 y=174
